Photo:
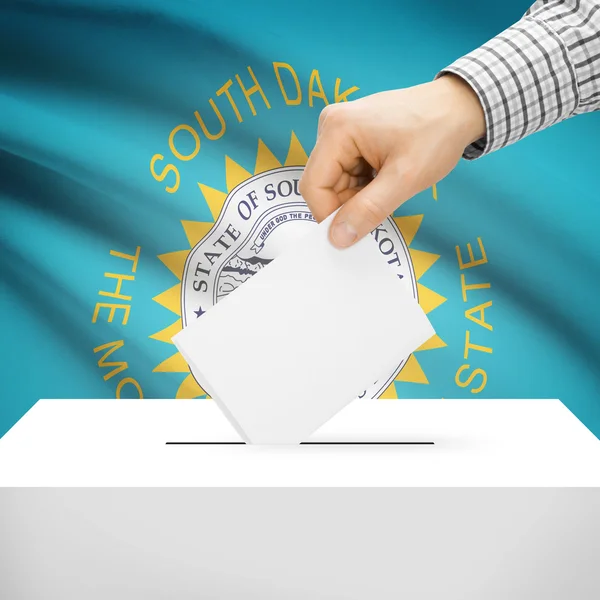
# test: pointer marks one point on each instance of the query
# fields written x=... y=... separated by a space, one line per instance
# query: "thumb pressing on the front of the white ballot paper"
x=367 y=209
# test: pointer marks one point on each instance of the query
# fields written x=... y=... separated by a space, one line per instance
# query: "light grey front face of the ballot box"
x=294 y=544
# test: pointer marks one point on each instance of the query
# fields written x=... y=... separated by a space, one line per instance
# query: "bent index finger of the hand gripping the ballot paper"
x=334 y=155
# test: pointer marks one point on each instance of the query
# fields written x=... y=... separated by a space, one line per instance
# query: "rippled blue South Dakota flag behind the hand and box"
x=125 y=128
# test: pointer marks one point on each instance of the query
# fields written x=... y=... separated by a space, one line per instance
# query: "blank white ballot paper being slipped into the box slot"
x=303 y=337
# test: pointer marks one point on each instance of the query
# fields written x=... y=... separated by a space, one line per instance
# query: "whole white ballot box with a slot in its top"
x=160 y=499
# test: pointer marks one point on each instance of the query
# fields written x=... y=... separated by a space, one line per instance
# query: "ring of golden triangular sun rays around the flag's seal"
x=196 y=230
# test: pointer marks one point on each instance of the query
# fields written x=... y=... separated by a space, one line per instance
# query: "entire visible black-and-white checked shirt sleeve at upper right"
x=542 y=70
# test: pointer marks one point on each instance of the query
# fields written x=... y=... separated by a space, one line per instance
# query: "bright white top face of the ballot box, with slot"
x=475 y=443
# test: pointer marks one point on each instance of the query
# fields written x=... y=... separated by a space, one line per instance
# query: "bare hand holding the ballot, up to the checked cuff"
x=412 y=138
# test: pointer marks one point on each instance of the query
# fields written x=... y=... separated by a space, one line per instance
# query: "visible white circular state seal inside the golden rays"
x=260 y=217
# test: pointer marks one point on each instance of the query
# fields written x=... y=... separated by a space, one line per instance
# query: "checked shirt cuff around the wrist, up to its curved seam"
x=524 y=80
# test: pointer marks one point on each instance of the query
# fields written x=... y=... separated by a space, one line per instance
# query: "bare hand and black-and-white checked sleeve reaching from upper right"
x=542 y=70
